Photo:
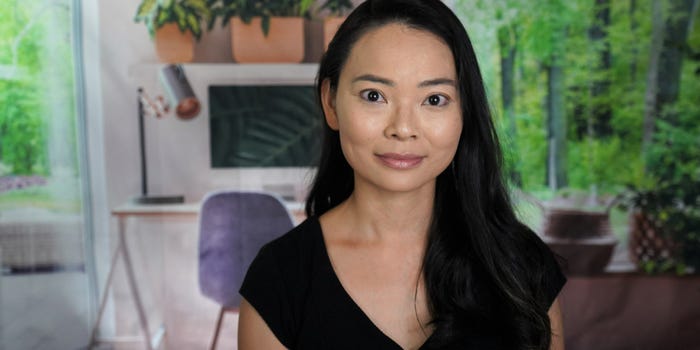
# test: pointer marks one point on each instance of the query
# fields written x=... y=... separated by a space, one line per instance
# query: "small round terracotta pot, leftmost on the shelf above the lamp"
x=172 y=45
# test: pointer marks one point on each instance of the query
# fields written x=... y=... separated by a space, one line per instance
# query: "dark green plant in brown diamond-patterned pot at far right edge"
x=665 y=210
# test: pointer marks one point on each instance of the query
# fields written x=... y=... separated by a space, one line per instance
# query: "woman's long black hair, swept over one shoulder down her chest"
x=483 y=269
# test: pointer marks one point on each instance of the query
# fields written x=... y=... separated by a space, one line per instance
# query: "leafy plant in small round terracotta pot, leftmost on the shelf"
x=174 y=25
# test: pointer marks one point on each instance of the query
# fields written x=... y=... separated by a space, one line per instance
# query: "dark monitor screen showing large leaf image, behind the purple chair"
x=264 y=126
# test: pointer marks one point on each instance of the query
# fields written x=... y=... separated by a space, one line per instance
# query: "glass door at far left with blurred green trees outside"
x=46 y=293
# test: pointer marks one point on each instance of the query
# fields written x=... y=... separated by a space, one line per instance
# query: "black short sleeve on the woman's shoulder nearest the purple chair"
x=264 y=288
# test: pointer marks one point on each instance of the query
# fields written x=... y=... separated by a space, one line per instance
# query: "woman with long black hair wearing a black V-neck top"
x=411 y=241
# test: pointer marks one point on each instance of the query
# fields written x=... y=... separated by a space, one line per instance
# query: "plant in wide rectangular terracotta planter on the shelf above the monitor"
x=266 y=31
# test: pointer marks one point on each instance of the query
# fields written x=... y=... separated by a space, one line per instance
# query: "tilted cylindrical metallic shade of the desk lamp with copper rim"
x=179 y=91
